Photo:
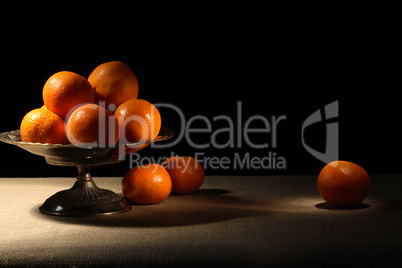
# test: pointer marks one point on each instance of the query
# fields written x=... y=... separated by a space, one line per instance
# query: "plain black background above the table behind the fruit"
x=289 y=59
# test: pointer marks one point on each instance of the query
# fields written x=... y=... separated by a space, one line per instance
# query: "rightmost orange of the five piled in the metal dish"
x=138 y=119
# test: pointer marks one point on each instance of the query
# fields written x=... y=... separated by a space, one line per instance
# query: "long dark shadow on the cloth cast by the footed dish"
x=200 y=207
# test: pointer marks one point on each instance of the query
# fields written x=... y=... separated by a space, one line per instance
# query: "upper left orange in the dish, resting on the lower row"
x=64 y=90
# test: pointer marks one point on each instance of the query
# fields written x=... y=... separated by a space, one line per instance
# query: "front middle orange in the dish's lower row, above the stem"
x=92 y=125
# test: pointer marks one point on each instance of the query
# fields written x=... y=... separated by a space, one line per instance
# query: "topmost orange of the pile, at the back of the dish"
x=114 y=83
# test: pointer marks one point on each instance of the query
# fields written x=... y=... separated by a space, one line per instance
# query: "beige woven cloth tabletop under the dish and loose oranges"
x=230 y=221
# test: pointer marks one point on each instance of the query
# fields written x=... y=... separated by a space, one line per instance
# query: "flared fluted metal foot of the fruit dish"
x=85 y=199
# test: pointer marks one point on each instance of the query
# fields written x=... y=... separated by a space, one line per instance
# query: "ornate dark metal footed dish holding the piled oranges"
x=84 y=198
